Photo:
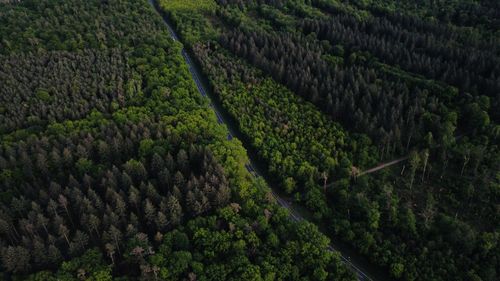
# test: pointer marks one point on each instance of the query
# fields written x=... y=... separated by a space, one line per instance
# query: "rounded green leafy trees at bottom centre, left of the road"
x=222 y=252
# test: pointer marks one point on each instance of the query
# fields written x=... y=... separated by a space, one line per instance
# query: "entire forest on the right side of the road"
x=326 y=90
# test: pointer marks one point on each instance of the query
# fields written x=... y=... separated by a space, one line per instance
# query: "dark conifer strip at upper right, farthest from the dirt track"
x=428 y=53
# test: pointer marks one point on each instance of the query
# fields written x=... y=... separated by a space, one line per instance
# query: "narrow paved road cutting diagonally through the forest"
x=294 y=214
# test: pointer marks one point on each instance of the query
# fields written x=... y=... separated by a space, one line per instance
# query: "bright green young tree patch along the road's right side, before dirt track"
x=289 y=140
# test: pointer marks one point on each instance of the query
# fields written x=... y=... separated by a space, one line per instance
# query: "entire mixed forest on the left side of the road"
x=114 y=167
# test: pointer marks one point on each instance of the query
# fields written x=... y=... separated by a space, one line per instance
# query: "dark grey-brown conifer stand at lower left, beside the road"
x=92 y=198
